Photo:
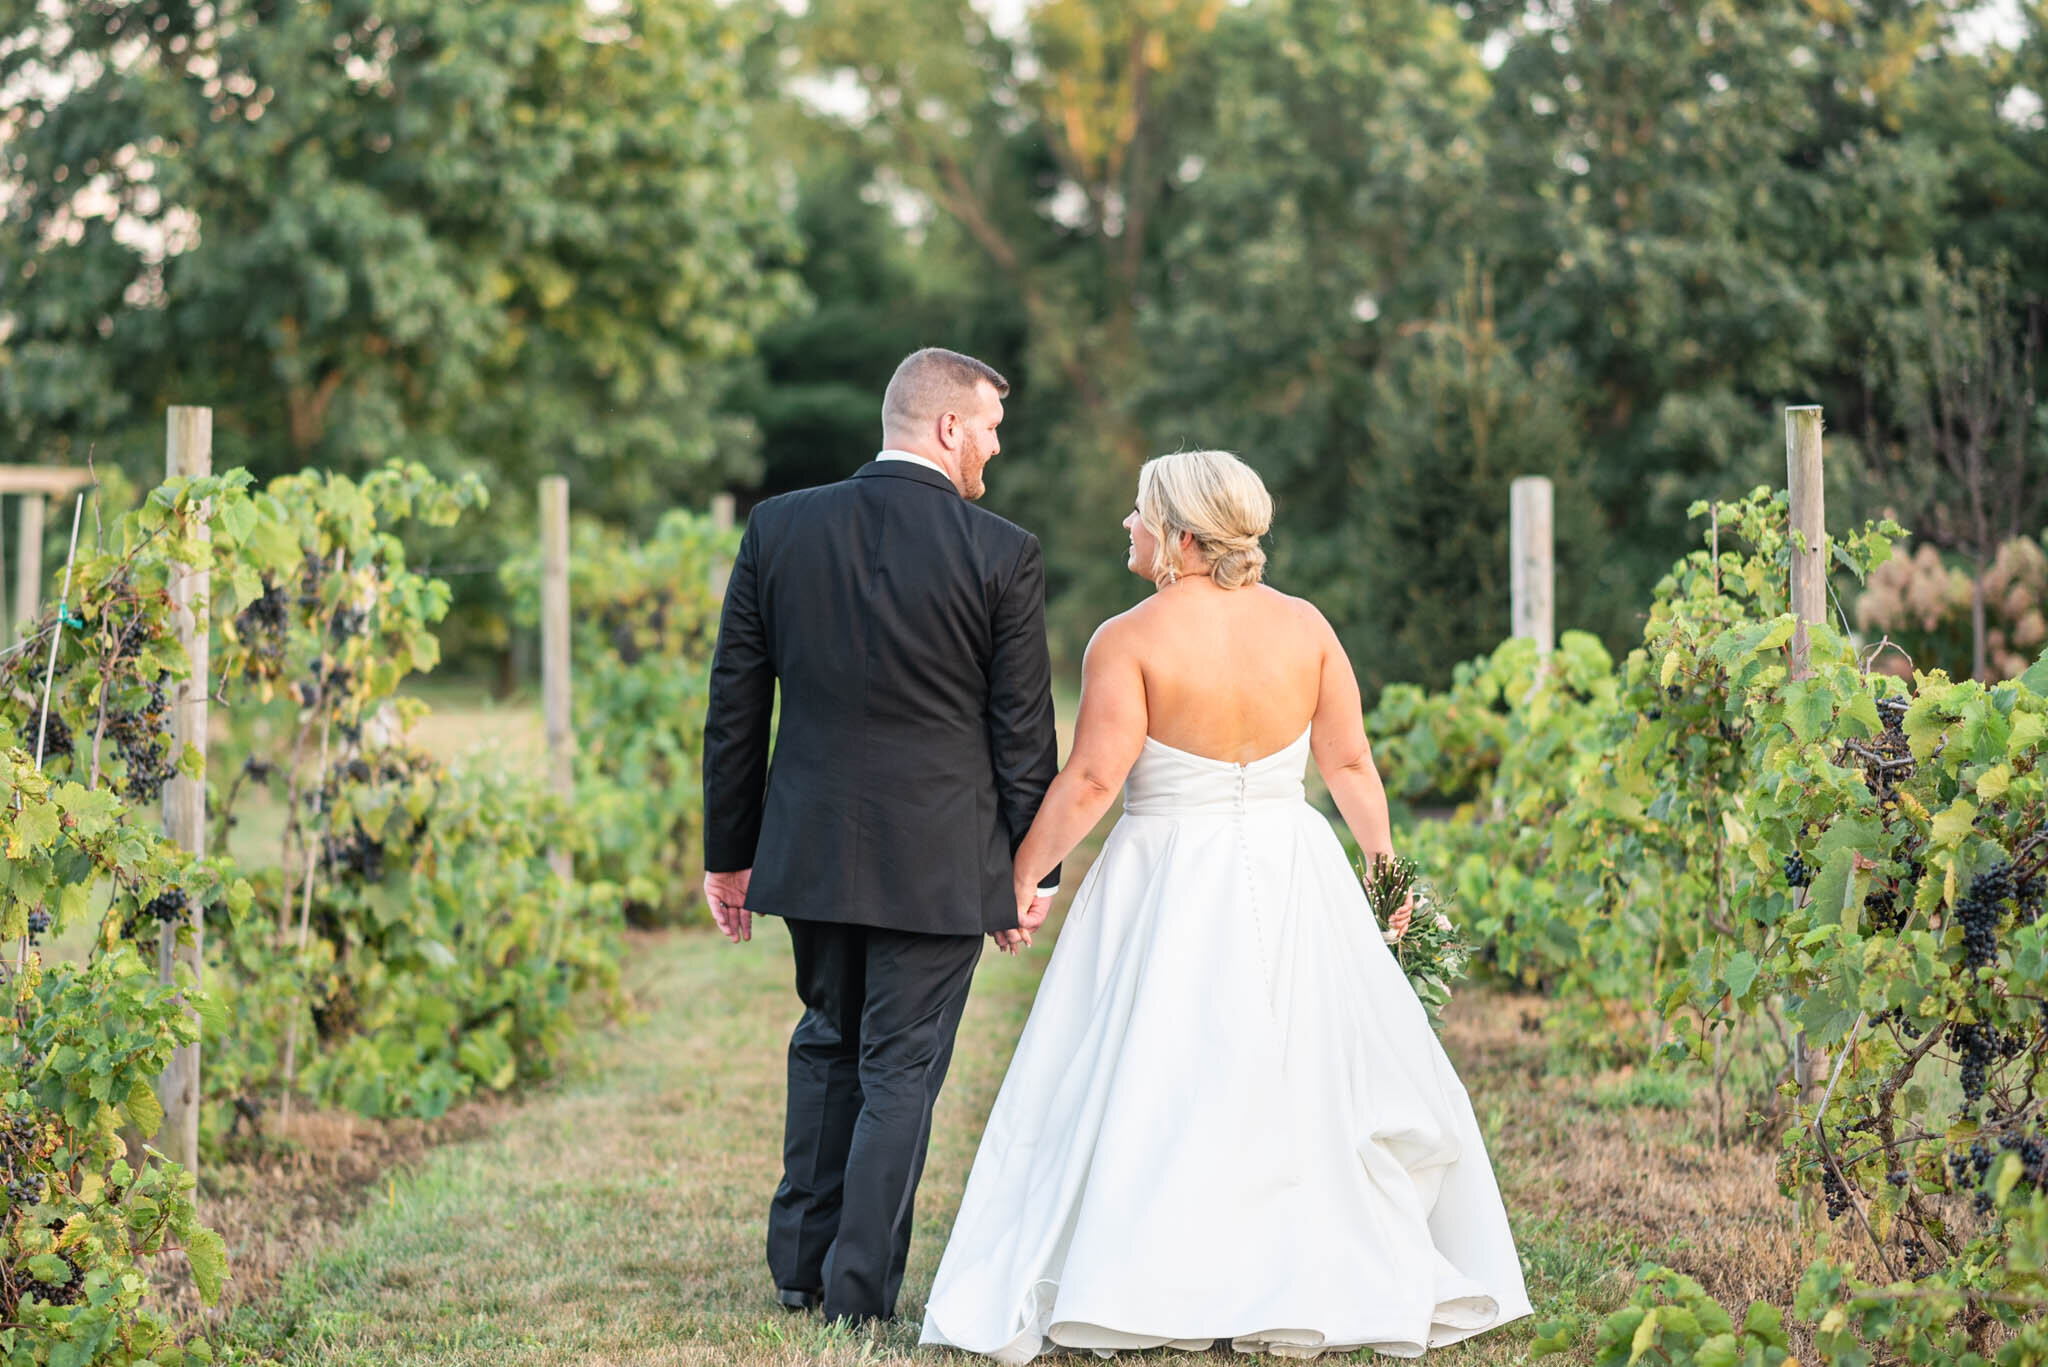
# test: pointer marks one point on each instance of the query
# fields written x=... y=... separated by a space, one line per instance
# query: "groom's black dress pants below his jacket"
x=865 y=1067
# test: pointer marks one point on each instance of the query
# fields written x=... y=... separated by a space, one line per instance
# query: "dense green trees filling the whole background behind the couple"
x=1396 y=253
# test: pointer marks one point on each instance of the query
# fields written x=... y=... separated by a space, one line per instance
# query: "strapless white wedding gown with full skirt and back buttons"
x=1228 y=1116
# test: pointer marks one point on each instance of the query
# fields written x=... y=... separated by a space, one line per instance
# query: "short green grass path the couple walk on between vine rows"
x=620 y=1216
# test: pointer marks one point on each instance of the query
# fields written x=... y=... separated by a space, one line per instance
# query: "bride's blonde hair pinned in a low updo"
x=1220 y=501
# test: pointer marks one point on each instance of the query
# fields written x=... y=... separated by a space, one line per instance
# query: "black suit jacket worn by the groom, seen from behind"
x=906 y=628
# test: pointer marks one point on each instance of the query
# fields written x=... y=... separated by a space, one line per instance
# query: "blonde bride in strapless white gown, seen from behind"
x=1228 y=1116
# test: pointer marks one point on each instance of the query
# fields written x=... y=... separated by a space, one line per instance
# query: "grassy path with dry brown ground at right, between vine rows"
x=617 y=1218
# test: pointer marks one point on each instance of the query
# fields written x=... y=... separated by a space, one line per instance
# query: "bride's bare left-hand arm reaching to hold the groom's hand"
x=1107 y=741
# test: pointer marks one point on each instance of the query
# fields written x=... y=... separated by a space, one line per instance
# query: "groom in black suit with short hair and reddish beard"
x=906 y=630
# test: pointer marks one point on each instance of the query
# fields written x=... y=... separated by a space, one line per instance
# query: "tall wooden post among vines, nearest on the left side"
x=189 y=452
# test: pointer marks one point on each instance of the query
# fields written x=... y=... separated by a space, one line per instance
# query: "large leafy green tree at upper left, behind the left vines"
x=503 y=237
